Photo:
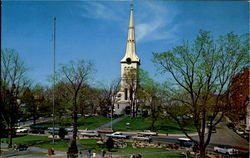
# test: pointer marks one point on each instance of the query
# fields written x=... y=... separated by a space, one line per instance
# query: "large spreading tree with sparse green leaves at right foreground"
x=200 y=79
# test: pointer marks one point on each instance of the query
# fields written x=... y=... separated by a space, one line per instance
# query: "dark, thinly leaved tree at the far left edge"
x=14 y=81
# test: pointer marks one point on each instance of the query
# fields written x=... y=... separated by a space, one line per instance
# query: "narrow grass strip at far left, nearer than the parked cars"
x=27 y=139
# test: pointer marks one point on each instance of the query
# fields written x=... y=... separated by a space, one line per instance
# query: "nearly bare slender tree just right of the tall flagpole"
x=75 y=75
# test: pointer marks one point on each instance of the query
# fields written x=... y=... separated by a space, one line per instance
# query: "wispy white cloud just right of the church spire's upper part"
x=154 y=25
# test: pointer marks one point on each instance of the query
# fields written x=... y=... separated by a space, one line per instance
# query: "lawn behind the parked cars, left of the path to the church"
x=83 y=122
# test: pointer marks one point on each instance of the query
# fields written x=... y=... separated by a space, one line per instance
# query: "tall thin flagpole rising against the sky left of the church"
x=54 y=70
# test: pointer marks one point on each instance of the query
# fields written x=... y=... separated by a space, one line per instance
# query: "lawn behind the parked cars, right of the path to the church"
x=162 y=125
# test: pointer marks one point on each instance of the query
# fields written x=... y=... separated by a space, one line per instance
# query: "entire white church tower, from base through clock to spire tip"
x=129 y=66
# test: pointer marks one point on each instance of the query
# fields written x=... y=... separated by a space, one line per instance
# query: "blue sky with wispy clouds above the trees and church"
x=97 y=31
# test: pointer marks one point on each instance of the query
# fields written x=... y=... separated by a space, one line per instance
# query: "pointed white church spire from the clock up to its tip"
x=130 y=55
